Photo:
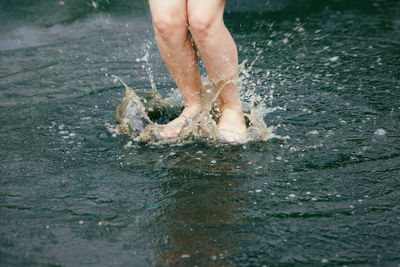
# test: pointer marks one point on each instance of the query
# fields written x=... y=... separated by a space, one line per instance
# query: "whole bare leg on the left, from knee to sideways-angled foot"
x=179 y=54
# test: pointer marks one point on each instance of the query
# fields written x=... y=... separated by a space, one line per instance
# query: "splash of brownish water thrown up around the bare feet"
x=140 y=109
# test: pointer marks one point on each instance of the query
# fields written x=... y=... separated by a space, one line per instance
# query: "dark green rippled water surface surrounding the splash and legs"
x=73 y=194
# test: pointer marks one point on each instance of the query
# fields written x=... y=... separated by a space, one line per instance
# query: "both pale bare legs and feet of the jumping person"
x=172 y=20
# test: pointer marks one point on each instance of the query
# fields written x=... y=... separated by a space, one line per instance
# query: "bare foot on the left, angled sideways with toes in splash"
x=173 y=128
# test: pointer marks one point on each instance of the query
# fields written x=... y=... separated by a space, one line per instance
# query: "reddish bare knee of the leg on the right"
x=201 y=27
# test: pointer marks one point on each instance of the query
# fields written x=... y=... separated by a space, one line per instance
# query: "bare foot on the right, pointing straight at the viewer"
x=232 y=126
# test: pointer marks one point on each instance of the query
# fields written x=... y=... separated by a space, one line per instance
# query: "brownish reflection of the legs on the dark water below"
x=198 y=215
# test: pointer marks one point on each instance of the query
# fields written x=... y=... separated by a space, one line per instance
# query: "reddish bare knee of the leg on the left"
x=168 y=27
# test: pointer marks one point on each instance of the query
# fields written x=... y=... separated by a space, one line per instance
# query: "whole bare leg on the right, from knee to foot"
x=219 y=53
